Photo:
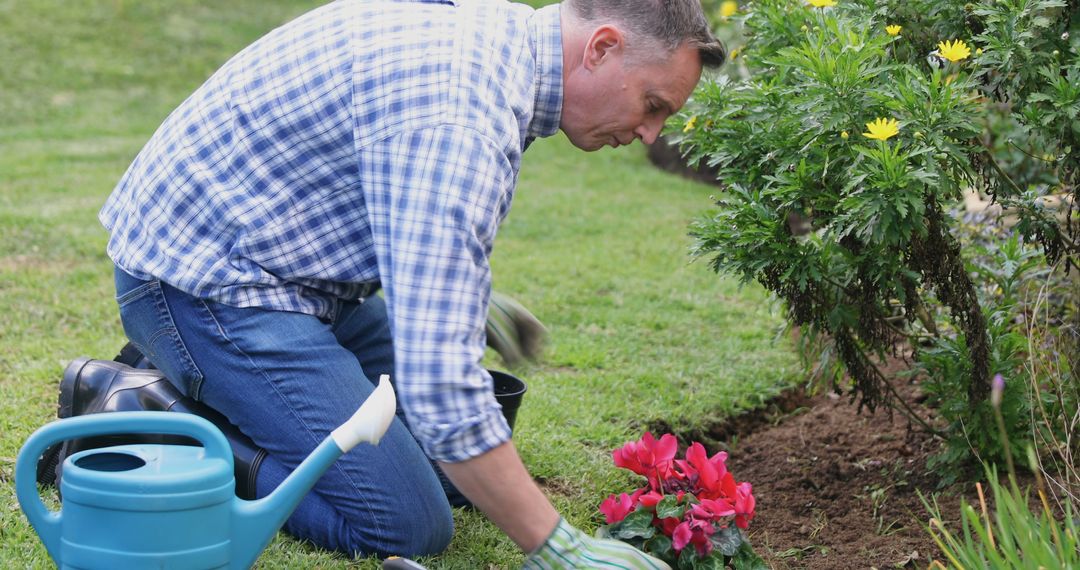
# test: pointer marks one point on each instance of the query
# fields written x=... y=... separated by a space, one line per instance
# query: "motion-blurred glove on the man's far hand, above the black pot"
x=512 y=331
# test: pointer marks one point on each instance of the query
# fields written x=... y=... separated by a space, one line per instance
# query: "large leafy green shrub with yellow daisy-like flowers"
x=790 y=130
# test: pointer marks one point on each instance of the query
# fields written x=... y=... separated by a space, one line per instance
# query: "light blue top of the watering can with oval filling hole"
x=146 y=471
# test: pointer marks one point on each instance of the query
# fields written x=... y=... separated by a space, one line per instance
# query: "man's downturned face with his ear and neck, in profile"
x=612 y=101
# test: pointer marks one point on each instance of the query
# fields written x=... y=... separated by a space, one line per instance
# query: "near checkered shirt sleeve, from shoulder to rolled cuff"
x=436 y=198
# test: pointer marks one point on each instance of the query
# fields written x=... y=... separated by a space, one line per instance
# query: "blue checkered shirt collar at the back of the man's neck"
x=546 y=38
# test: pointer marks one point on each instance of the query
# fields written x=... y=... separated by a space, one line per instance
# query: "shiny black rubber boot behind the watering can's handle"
x=98 y=387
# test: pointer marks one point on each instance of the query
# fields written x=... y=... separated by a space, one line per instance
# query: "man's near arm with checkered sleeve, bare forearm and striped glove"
x=436 y=198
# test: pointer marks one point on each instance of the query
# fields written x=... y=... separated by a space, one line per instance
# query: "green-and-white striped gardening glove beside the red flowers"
x=570 y=548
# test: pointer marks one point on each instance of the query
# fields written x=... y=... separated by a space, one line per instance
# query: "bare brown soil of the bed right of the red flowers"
x=838 y=490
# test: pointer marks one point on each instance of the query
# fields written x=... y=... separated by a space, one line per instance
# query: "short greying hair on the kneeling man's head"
x=668 y=23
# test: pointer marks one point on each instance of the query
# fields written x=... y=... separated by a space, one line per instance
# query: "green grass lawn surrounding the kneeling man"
x=596 y=247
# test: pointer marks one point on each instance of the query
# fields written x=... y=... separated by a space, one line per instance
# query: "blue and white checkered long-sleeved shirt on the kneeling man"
x=364 y=142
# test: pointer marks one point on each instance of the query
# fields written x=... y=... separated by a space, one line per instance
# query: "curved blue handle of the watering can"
x=47 y=523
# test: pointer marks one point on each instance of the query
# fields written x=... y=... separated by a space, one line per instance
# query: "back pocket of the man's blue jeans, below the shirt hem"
x=150 y=325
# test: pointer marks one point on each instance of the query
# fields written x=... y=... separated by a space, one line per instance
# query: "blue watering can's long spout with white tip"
x=262 y=519
